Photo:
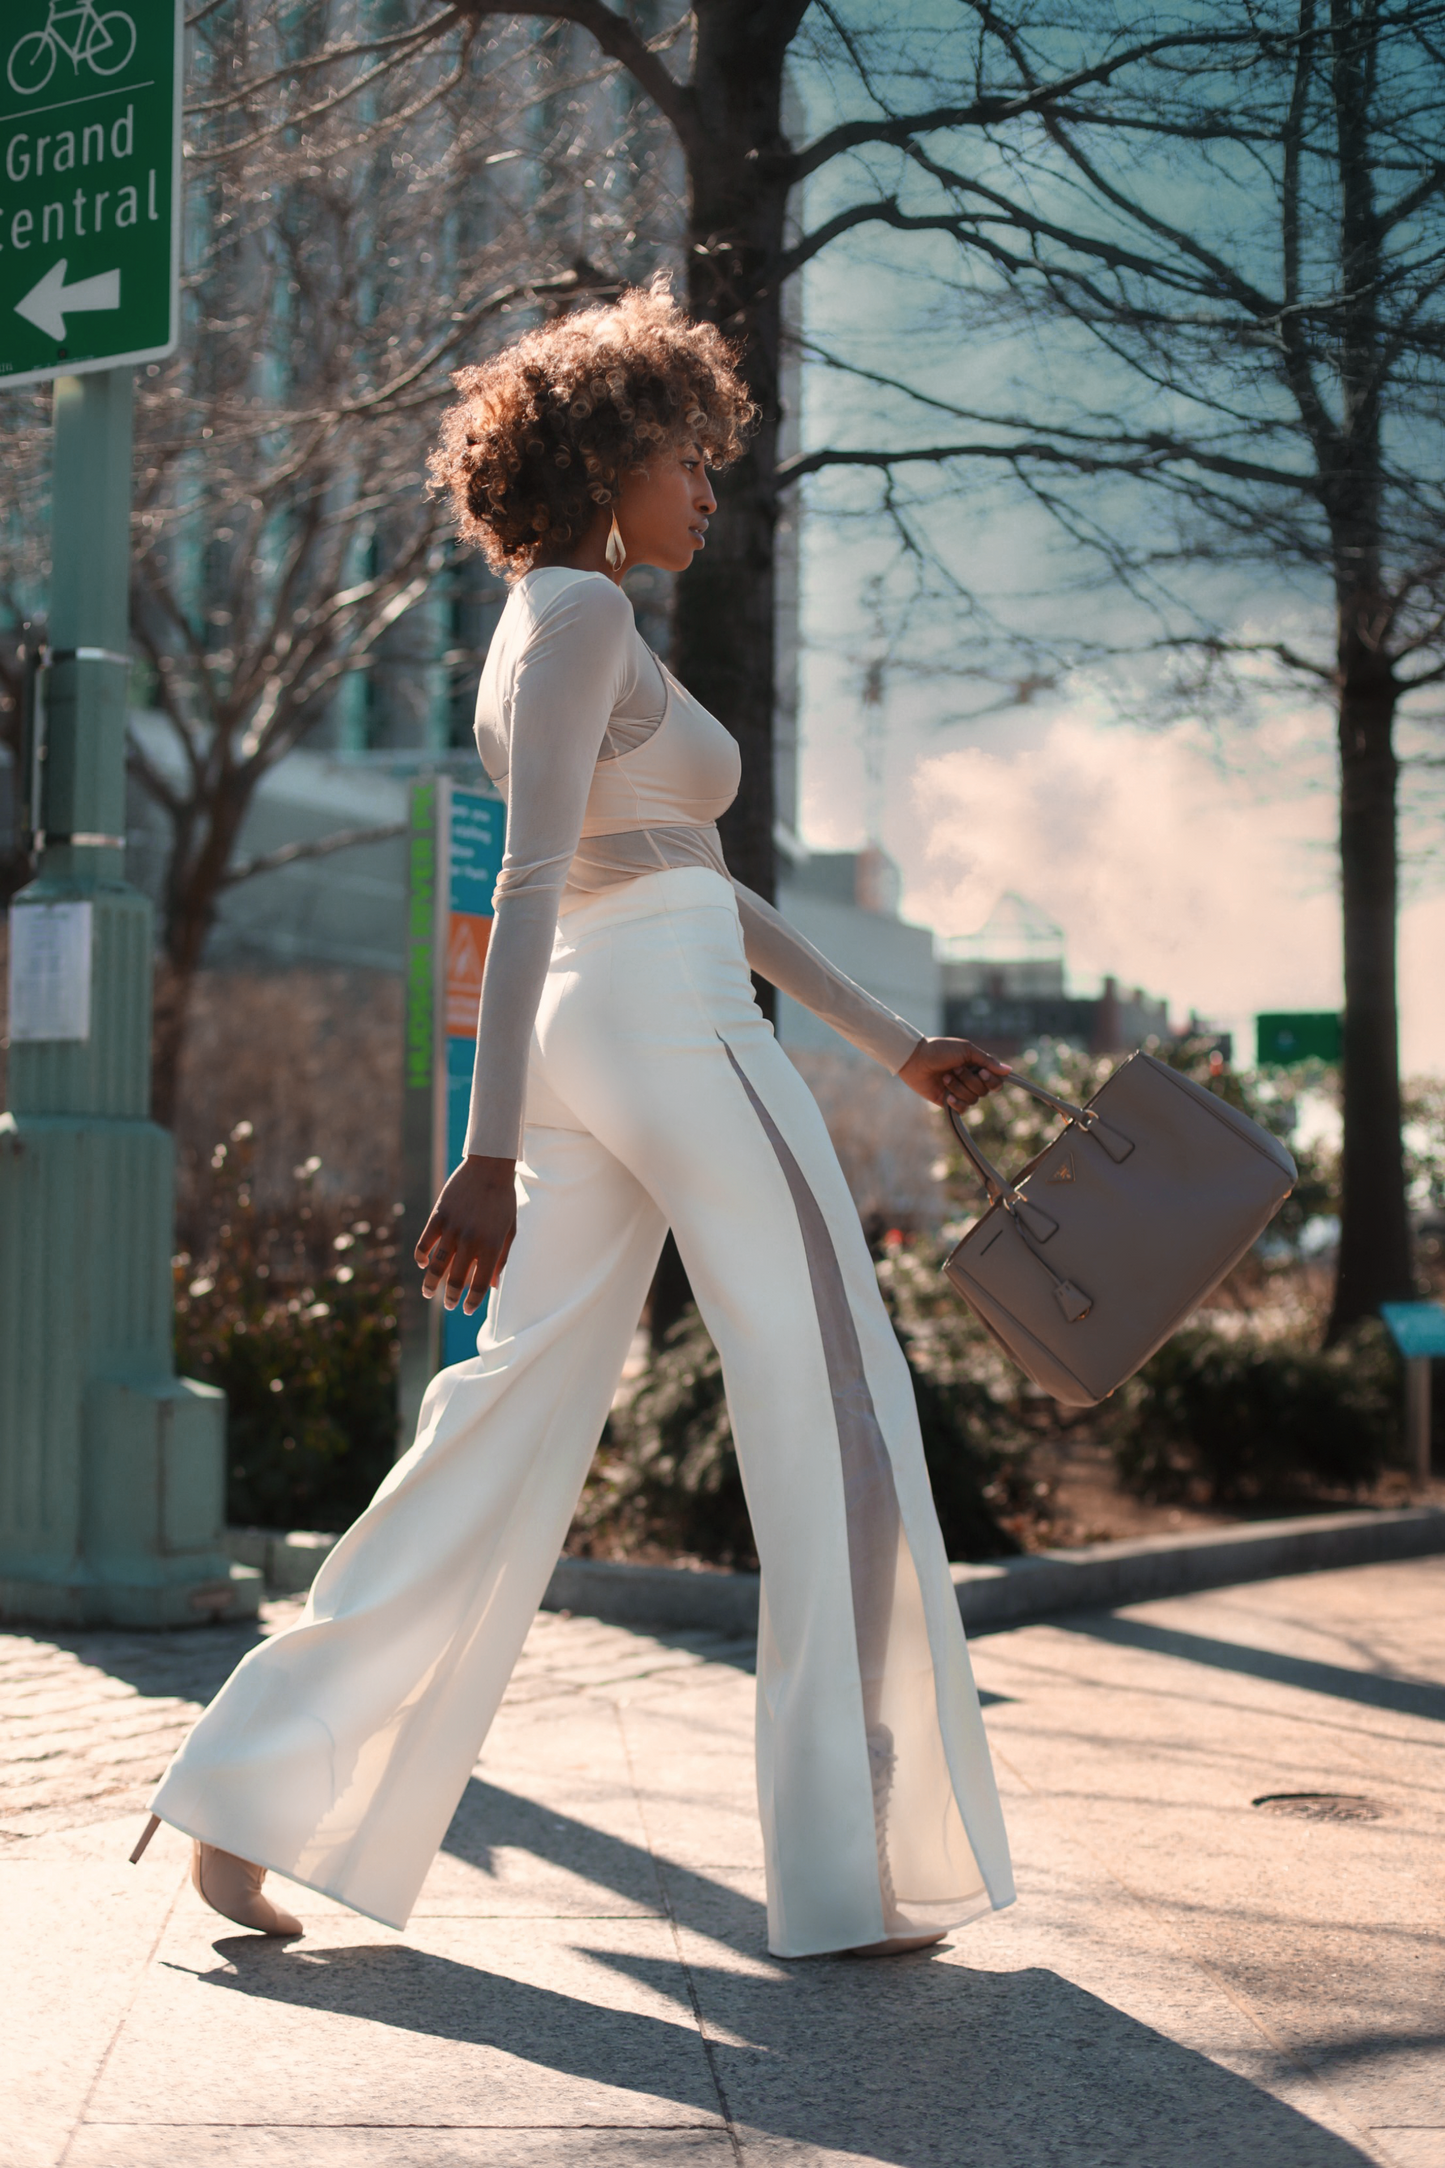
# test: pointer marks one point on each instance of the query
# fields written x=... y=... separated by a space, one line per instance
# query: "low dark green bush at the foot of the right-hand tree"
x=1245 y=1423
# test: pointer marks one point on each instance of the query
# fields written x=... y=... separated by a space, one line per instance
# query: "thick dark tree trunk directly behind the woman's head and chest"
x=735 y=237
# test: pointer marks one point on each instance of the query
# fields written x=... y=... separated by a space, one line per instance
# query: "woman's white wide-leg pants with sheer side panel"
x=660 y=1098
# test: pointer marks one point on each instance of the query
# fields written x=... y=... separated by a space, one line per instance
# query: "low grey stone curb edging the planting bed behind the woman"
x=991 y=1599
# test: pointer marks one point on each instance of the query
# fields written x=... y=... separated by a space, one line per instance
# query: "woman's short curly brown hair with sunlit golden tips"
x=545 y=433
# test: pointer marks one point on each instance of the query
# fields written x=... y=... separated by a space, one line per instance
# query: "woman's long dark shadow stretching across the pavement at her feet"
x=909 y=2063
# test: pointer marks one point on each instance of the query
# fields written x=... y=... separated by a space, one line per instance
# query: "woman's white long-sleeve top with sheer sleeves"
x=610 y=771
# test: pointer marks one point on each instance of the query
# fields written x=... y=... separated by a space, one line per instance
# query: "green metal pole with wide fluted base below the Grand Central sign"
x=112 y=1469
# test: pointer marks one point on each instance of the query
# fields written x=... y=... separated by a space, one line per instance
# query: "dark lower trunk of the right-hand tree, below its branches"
x=1375 y=1239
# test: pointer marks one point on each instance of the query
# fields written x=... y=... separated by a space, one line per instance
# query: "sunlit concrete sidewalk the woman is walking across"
x=1188 y=1980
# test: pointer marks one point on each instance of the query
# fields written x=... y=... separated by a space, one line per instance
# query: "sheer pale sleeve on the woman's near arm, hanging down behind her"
x=569 y=680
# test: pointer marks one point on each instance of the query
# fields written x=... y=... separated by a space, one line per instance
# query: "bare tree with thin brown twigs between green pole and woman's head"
x=348 y=244
